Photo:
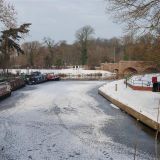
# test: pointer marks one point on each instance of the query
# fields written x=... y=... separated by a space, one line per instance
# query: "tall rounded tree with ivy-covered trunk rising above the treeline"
x=83 y=35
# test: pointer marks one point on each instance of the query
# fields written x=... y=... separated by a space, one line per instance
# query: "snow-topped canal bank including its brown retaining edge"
x=141 y=105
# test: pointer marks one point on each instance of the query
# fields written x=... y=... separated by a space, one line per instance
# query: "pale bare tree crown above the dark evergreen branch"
x=7 y=14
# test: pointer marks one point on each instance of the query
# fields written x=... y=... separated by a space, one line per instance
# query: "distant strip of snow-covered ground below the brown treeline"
x=70 y=71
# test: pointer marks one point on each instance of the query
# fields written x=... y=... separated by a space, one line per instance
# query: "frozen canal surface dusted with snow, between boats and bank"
x=68 y=120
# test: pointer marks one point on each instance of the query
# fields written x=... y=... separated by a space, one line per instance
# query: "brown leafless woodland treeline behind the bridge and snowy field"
x=49 y=53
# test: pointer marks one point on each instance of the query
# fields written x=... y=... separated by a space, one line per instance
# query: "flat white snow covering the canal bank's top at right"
x=145 y=102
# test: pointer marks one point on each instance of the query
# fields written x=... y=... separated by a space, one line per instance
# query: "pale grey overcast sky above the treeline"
x=60 y=19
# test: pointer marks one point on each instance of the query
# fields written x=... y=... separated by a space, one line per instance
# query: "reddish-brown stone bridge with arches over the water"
x=131 y=67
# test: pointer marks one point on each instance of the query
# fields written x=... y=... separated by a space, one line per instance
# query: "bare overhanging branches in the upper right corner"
x=139 y=15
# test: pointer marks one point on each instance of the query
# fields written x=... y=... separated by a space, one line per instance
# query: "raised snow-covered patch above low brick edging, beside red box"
x=143 y=80
